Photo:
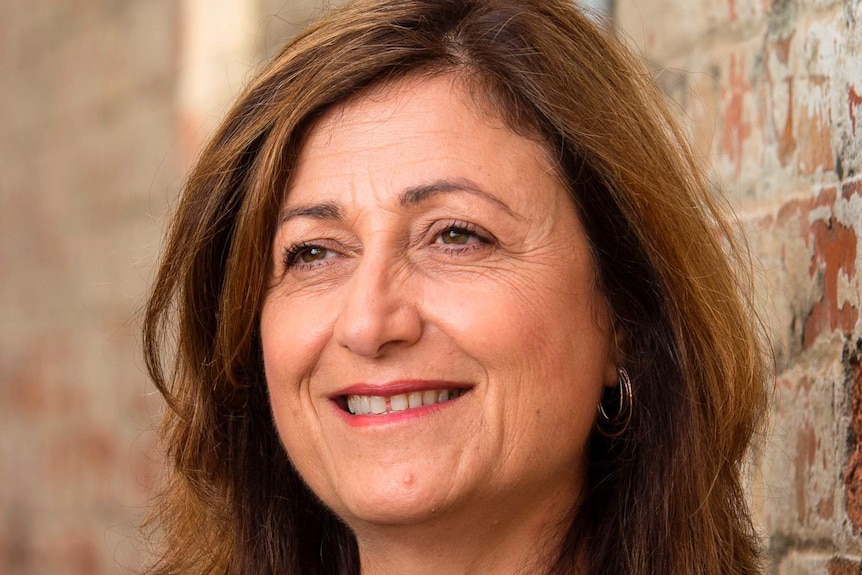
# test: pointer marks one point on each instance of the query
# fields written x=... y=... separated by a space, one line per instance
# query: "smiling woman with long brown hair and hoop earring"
x=452 y=296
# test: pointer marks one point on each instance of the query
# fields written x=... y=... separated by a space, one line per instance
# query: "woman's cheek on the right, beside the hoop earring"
x=546 y=350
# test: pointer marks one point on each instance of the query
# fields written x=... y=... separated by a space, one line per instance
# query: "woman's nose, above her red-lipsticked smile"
x=380 y=311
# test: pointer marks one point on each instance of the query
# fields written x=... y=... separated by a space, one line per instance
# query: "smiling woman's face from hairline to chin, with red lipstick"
x=433 y=337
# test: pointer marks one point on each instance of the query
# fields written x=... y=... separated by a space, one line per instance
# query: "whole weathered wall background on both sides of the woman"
x=104 y=104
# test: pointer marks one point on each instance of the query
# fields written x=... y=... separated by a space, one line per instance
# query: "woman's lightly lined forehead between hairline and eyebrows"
x=405 y=133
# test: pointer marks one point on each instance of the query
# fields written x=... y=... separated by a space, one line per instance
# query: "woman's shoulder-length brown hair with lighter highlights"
x=662 y=497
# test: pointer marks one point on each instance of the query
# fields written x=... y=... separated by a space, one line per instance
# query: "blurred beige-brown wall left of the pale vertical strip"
x=86 y=167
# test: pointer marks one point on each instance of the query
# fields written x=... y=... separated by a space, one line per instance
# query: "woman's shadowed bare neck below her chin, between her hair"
x=516 y=540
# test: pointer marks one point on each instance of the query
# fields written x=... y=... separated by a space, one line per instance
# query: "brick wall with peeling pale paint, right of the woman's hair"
x=771 y=92
